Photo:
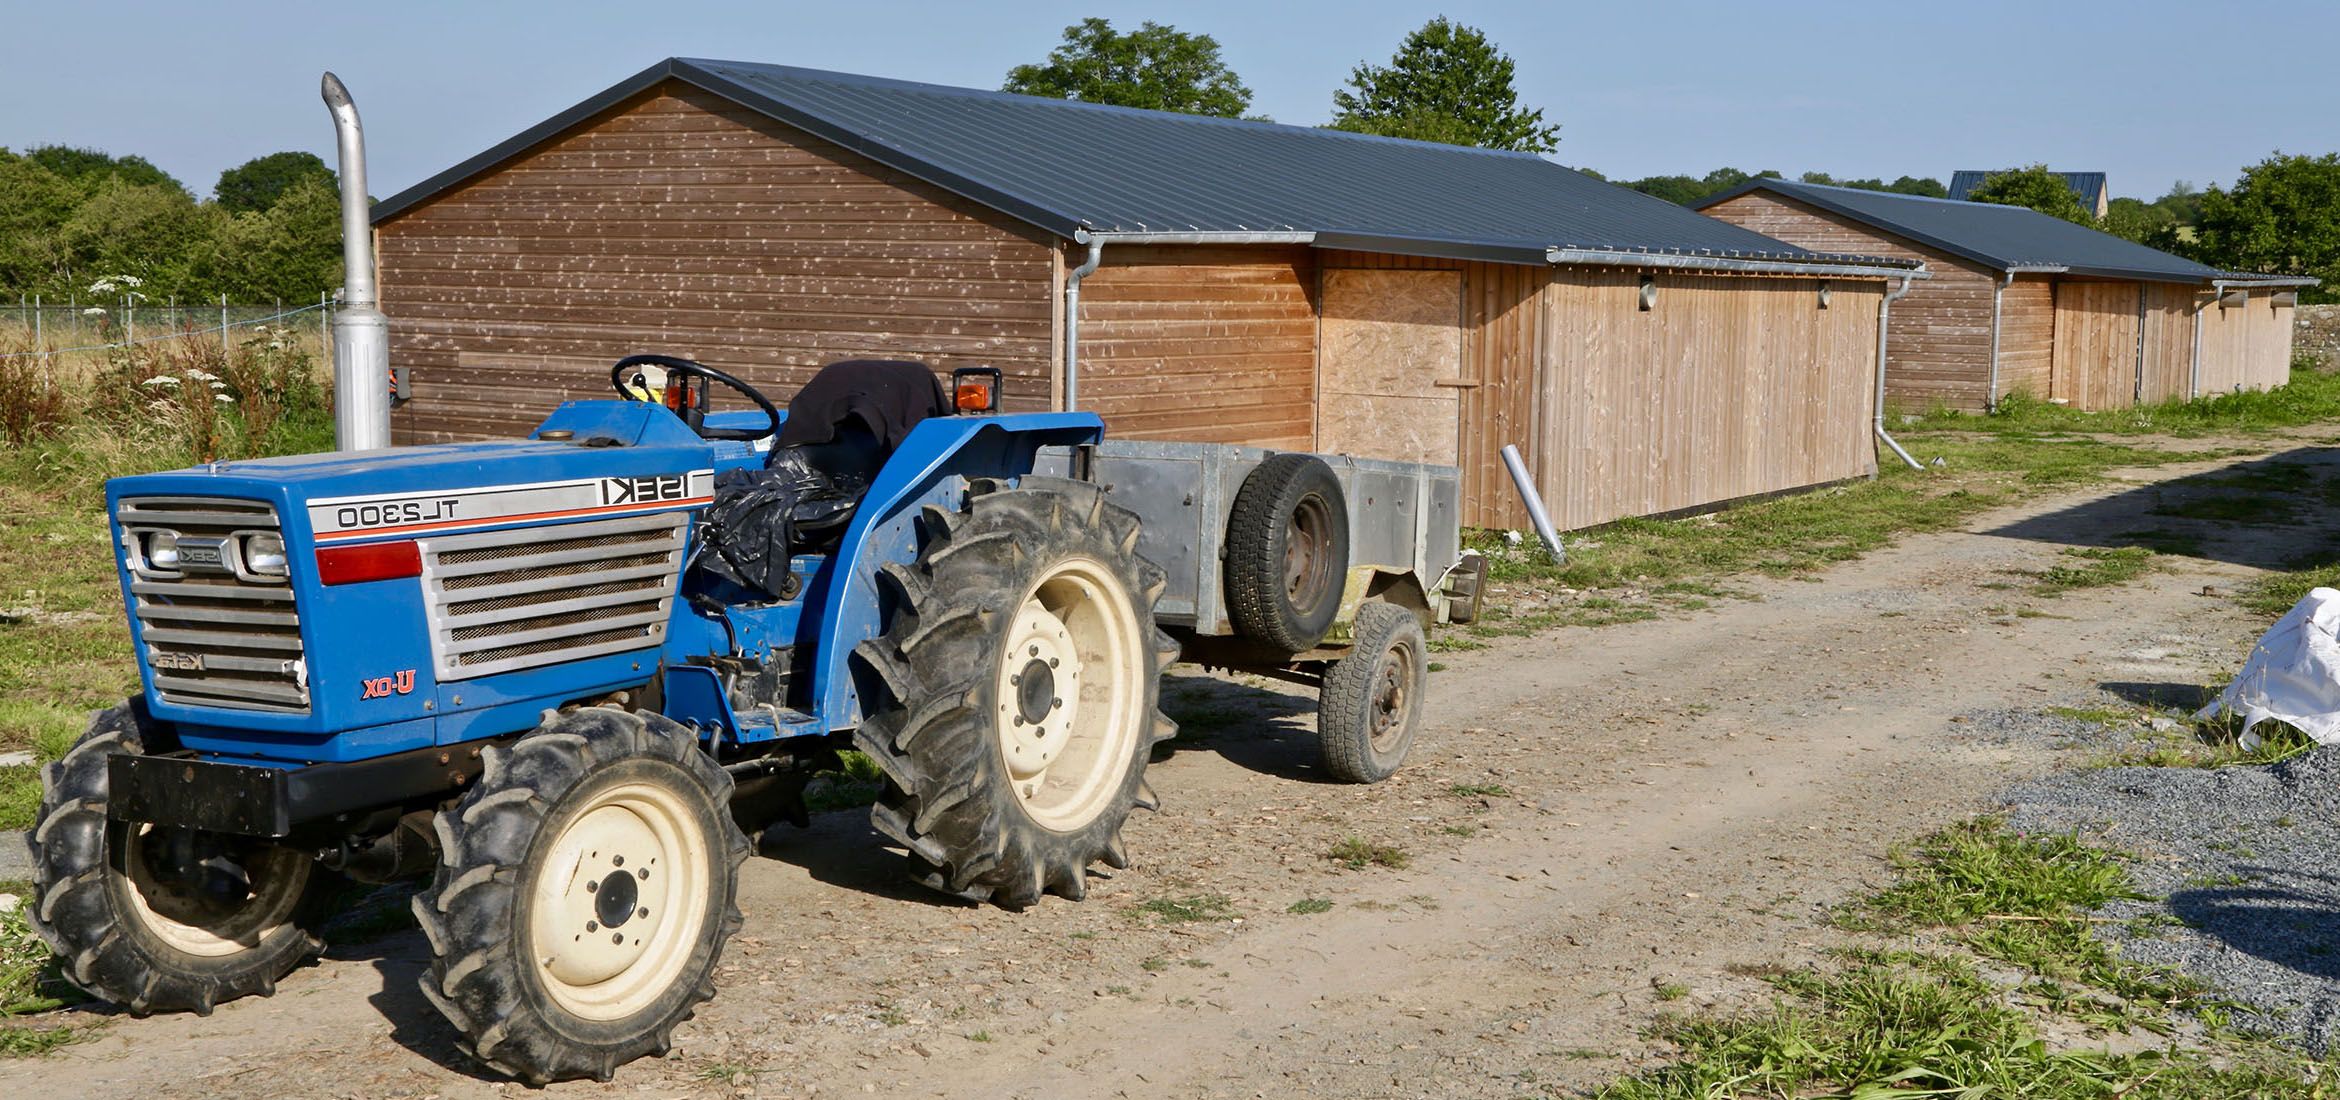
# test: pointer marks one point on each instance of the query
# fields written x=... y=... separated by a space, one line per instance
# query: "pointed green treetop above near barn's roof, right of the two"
x=1447 y=83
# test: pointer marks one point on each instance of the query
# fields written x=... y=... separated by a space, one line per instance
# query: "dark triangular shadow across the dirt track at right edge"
x=2266 y=514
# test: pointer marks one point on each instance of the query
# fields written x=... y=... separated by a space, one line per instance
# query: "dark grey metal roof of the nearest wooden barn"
x=1085 y=170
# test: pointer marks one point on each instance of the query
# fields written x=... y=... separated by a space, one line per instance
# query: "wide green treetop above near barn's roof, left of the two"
x=1155 y=67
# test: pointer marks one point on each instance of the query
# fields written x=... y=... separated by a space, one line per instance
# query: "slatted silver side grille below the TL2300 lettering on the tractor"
x=542 y=596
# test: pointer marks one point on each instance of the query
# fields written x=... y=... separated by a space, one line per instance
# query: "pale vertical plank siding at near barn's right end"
x=1726 y=390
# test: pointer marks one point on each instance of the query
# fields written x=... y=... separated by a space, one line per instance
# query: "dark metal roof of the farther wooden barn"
x=2002 y=238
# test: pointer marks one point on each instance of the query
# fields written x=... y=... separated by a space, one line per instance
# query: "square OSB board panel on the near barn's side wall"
x=1389 y=343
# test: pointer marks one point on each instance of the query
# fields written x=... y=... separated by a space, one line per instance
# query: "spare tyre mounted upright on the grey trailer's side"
x=1288 y=554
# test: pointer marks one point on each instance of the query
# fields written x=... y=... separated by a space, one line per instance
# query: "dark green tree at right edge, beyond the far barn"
x=2283 y=216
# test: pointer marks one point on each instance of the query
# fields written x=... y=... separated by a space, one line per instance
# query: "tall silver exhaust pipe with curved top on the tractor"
x=362 y=336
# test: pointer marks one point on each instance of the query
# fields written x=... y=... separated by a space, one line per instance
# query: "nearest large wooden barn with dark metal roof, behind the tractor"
x=1185 y=277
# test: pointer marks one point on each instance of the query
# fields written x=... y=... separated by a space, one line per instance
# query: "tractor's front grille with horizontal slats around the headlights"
x=214 y=638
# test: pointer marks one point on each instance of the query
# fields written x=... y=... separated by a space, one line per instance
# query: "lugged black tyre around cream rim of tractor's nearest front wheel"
x=472 y=912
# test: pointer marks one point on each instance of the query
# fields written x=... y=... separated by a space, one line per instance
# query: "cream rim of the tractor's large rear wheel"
x=1071 y=701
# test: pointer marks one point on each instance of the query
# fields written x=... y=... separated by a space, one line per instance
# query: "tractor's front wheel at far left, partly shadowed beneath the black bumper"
x=163 y=919
